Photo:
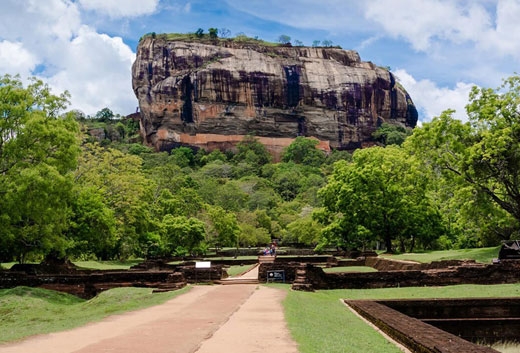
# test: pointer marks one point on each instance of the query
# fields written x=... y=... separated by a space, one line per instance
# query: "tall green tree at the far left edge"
x=38 y=152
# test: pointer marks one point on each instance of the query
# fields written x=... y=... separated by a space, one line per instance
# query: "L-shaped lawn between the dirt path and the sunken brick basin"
x=320 y=322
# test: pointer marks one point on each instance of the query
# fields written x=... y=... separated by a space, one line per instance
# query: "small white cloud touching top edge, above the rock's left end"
x=118 y=8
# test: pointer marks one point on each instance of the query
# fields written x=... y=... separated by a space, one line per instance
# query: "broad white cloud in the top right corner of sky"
x=489 y=27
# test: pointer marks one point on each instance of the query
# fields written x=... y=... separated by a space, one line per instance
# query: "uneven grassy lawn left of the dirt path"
x=28 y=311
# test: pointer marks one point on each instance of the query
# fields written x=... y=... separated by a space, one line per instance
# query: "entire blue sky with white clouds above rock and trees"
x=438 y=49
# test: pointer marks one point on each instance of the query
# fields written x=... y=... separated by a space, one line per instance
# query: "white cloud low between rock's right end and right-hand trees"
x=431 y=100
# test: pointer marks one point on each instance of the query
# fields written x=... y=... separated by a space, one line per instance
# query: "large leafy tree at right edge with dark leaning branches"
x=481 y=155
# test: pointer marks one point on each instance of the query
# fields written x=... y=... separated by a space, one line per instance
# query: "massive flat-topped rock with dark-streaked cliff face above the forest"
x=211 y=96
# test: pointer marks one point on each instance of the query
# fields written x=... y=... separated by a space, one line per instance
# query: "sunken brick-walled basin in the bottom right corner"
x=478 y=320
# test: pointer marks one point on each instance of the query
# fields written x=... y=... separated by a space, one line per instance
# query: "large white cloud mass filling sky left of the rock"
x=95 y=68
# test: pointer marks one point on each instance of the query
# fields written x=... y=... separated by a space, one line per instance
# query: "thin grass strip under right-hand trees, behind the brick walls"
x=484 y=255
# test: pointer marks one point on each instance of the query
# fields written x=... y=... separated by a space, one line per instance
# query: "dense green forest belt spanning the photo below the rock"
x=86 y=187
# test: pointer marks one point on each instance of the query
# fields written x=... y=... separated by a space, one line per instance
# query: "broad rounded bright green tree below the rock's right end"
x=381 y=194
